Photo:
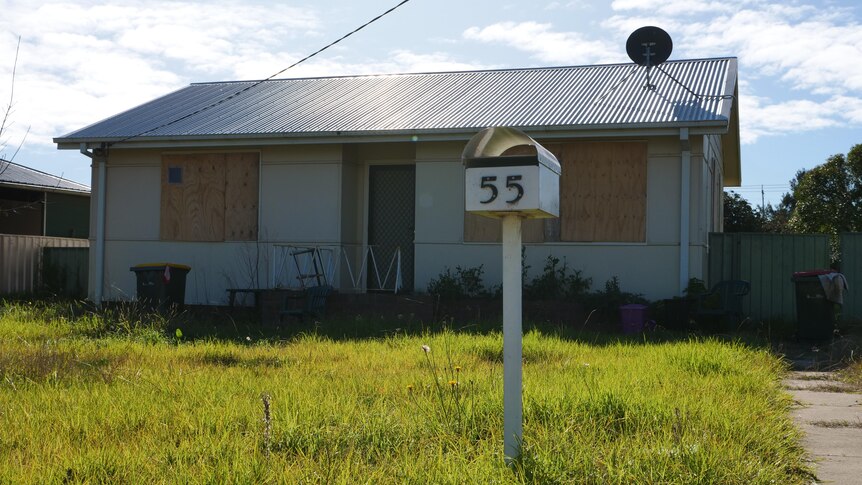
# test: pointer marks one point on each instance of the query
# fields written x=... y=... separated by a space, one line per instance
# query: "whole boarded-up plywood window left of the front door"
x=215 y=199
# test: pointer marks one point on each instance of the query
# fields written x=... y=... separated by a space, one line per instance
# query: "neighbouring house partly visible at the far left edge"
x=35 y=203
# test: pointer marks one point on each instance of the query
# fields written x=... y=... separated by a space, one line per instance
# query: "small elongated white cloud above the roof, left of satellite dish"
x=541 y=41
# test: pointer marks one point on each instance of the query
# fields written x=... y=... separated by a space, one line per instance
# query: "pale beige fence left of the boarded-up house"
x=21 y=260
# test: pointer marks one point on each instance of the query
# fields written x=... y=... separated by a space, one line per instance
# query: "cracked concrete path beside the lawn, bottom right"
x=830 y=415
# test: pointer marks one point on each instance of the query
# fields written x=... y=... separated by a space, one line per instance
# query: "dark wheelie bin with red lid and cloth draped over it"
x=815 y=314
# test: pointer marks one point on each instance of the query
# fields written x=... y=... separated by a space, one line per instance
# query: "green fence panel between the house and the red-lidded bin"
x=767 y=261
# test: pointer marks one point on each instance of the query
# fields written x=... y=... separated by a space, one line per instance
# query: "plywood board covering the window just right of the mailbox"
x=602 y=191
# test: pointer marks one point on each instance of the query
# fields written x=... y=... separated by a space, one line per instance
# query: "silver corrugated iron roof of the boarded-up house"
x=569 y=97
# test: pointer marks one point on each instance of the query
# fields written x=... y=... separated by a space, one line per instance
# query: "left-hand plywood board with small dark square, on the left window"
x=194 y=209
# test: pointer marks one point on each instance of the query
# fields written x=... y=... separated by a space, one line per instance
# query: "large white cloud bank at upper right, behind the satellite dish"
x=813 y=52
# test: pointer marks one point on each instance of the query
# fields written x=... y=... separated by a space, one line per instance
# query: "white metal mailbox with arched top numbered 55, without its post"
x=508 y=172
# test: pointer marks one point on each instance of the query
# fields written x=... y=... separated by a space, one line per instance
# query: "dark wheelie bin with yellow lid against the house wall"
x=161 y=285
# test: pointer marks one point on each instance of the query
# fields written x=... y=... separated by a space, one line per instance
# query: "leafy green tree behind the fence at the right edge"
x=828 y=198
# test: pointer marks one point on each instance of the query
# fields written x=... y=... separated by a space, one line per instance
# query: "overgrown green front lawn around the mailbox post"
x=84 y=400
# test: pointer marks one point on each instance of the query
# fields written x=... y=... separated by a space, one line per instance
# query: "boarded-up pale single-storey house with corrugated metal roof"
x=224 y=176
